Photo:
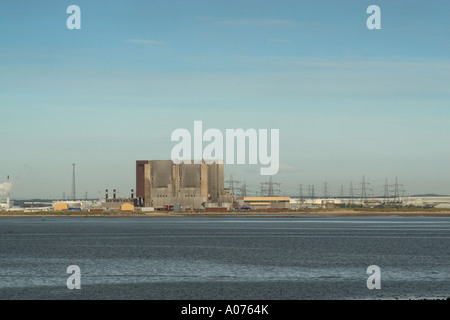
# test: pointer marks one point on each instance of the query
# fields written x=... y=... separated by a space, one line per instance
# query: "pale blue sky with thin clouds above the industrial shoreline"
x=348 y=101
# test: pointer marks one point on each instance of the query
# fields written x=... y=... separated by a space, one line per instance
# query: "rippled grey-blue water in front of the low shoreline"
x=225 y=258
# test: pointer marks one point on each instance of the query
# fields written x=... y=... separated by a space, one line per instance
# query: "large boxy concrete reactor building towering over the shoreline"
x=162 y=182
